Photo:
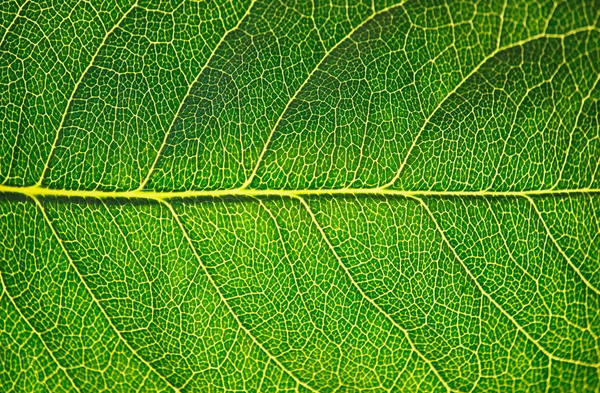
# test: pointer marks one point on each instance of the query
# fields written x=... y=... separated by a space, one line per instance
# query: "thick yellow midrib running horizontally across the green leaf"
x=37 y=191
